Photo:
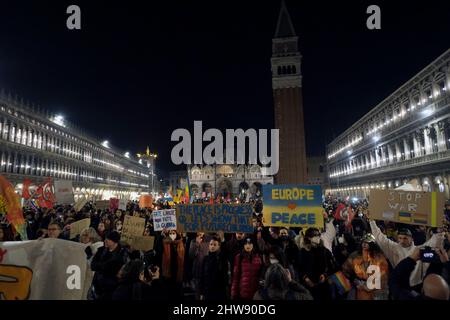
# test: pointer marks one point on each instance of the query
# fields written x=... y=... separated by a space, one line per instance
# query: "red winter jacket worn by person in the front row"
x=246 y=276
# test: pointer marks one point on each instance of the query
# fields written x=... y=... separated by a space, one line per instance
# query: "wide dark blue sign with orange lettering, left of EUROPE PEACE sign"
x=229 y=218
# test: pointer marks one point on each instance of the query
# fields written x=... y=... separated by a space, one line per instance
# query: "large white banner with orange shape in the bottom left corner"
x=48 y=269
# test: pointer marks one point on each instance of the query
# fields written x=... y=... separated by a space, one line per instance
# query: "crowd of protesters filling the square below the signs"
x=353 y=257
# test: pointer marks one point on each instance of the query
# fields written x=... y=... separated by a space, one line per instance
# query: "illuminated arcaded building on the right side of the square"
x=404 y=139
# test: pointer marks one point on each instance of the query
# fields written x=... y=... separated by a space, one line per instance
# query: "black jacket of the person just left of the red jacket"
x=214 y=277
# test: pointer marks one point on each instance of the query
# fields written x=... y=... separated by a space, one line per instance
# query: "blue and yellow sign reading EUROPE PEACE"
x=293 y=206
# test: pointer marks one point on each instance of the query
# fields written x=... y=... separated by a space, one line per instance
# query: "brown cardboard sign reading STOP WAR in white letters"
x=410 y=207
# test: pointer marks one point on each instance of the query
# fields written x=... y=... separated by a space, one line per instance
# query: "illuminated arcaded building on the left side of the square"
x=37 y=145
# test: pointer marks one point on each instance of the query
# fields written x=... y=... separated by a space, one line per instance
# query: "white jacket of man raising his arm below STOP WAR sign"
x=396 y=253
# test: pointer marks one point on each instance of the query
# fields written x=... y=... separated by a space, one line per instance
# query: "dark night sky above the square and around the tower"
x=137 y=70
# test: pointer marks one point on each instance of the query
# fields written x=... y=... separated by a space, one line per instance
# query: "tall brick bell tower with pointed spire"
x=288 y=101
